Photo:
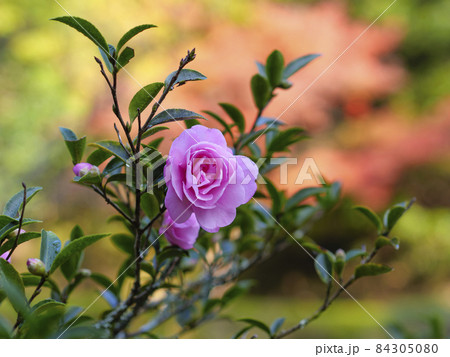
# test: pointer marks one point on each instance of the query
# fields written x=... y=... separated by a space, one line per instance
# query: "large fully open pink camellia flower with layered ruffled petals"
x=204 y=177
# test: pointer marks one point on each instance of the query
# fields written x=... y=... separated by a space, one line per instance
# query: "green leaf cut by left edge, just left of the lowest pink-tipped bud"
x=11 y=286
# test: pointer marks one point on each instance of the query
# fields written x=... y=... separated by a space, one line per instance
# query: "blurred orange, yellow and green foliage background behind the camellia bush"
x=379 y=120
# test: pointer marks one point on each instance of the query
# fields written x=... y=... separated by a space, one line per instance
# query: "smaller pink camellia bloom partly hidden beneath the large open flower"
x=182 y=235
